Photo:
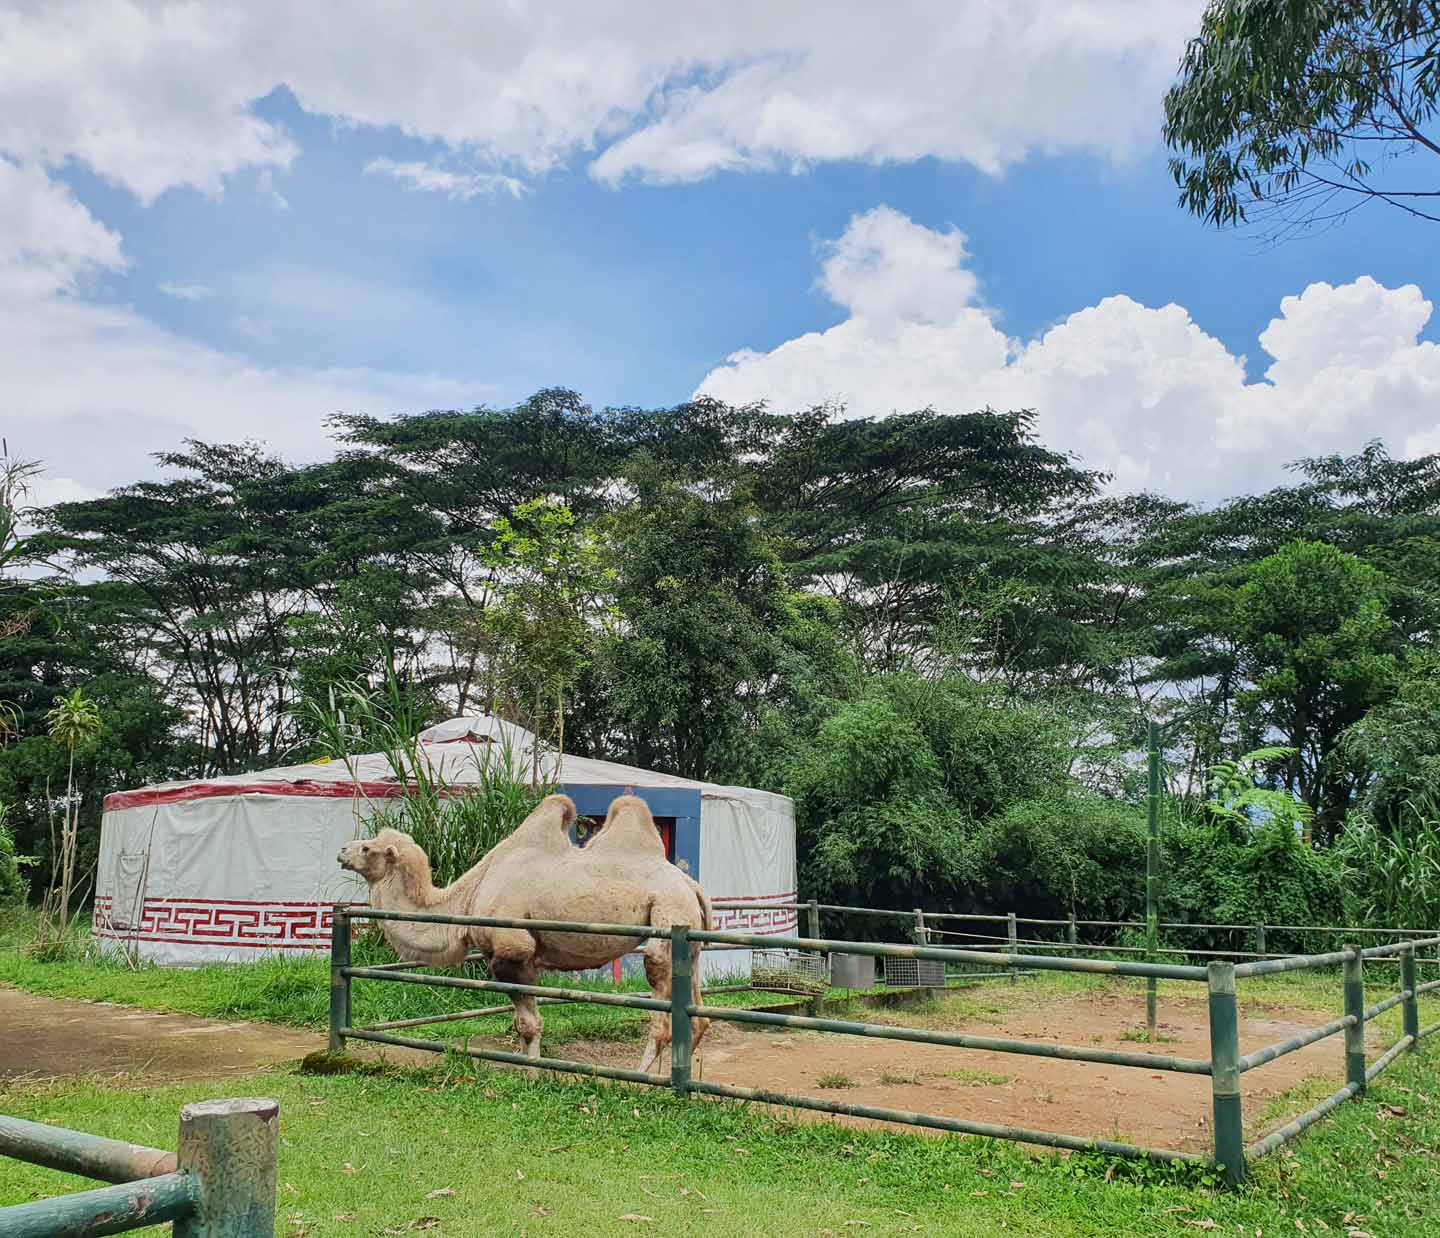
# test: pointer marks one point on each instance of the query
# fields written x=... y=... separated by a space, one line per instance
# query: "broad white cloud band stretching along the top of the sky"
x=156 y=96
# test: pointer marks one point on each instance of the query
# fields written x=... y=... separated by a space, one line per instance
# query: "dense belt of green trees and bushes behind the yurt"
x=930 y=630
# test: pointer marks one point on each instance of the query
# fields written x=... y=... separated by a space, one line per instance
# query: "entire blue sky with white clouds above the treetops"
x=230 y=240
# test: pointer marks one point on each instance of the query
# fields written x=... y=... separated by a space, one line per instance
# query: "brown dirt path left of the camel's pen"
x=45 y=1039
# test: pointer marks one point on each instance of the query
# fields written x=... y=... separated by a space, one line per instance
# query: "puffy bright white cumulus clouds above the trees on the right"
x=1143 y=392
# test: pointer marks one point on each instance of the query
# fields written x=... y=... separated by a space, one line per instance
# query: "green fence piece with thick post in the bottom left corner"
x=218 y=1184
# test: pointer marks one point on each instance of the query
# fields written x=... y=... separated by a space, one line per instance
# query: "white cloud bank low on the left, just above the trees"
x=91 y=389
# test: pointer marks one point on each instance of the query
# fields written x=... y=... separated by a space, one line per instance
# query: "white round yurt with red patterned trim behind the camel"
x=233 y=869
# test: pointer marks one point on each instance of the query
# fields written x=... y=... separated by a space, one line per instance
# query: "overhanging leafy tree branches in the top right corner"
x=1295 y=113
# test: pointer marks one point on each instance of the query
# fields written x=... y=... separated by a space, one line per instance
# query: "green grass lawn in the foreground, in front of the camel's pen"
x=366 y=1155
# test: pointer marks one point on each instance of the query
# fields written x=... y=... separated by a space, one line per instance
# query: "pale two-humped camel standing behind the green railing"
x=620 y=877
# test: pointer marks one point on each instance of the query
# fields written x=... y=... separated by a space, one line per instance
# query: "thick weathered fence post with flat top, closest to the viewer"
x=228 y=1148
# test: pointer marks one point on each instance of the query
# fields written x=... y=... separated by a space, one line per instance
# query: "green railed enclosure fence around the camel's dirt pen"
x=1225 y=1066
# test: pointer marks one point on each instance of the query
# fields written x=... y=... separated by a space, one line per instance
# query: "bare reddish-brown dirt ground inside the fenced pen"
x=1153 y=1109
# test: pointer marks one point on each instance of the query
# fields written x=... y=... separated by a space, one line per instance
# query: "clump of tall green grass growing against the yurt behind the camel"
x=454 y=820
